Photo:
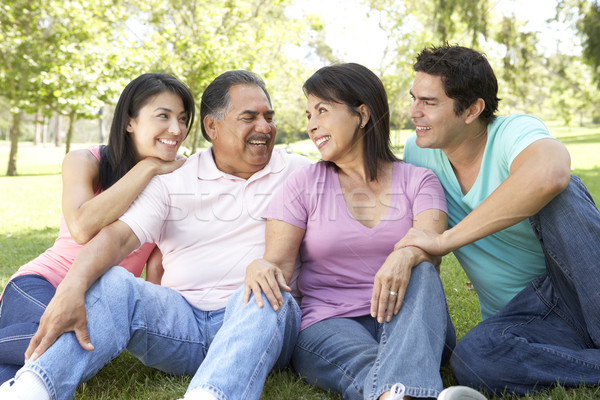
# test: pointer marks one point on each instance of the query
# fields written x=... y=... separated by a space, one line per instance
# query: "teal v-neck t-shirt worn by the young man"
x=502 y=264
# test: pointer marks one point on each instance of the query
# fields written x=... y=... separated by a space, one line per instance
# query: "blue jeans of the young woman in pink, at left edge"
x=24 y=301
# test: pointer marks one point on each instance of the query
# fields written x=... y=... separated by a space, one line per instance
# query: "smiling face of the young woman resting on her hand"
x=159 y=127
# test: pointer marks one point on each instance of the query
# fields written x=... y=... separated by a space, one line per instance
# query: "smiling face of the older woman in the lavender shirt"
x=331 y=127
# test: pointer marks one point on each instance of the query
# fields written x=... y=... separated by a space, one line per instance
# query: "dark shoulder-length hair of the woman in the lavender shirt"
x=353 y=85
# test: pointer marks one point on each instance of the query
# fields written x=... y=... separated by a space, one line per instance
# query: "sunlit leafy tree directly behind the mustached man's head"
x=198 y=40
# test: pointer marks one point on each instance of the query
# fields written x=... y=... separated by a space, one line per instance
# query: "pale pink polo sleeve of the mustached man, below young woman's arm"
x=148 y=212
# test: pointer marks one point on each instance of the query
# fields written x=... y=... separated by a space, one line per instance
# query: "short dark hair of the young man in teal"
x=466 y=76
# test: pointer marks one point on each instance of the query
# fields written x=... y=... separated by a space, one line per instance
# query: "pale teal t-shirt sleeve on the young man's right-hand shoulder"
x=518 y=132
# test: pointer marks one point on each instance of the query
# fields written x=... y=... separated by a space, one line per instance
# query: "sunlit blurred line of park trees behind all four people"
x=69 y=59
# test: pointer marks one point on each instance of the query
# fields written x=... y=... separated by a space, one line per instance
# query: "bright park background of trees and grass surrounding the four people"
x=64 y=63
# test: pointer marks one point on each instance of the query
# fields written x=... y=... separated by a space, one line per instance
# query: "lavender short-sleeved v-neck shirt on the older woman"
x=340 y=255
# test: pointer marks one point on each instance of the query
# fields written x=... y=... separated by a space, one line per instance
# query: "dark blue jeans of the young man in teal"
x=550 y=332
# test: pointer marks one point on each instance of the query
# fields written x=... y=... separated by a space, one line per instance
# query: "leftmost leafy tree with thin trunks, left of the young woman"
x=59 y=58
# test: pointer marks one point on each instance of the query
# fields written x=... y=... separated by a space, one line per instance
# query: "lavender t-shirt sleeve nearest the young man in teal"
x=428 y=193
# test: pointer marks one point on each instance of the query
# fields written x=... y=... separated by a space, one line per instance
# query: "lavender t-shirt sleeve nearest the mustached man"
x=289 y=204
